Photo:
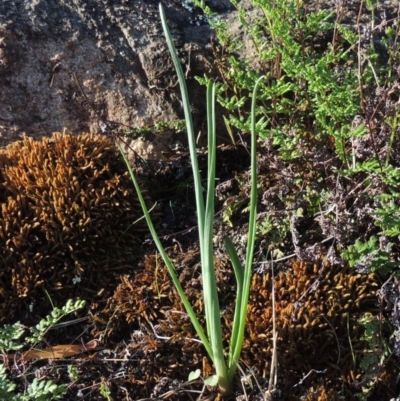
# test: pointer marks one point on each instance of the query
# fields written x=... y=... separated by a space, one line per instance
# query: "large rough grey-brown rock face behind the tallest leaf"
x=115 y=50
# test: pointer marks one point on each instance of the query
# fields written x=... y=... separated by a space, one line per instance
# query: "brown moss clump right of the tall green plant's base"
x=317 y=308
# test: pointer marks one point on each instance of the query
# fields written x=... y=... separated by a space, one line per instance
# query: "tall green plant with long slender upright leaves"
x=225 y=367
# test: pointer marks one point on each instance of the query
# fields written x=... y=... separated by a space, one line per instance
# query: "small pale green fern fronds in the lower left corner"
x=11 y=339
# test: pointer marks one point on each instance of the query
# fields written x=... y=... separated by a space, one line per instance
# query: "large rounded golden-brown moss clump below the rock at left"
x=67 y=206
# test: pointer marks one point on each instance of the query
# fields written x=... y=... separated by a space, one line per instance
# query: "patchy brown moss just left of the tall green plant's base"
x=150 y=297
